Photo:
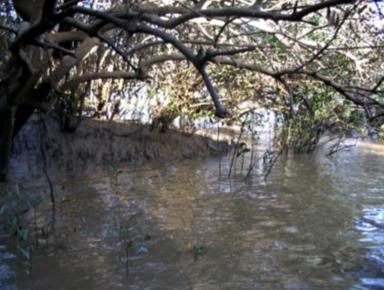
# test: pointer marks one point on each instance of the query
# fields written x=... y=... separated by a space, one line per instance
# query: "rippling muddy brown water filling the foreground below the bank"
x=316 y=223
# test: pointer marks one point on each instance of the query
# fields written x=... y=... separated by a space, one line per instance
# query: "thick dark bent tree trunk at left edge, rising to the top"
x=27 y=78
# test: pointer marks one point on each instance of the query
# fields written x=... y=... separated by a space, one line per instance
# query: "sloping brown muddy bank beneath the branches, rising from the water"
x=100 y=142
